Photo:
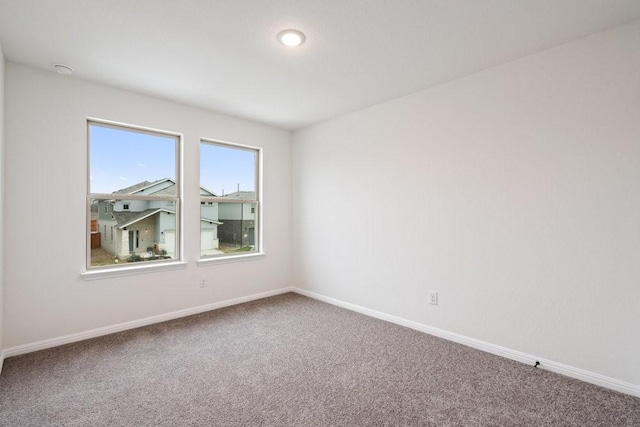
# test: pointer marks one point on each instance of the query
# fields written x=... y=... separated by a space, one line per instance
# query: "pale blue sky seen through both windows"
x=122 y=158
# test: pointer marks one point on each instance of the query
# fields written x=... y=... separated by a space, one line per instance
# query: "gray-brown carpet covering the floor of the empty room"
x=291 y=361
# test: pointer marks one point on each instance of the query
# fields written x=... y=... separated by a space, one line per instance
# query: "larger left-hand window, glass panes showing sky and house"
x=133 y=188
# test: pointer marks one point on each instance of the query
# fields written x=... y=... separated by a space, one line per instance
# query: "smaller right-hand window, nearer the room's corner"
x=229 y=199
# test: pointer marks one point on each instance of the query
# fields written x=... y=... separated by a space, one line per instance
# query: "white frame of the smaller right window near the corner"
x=258 y=251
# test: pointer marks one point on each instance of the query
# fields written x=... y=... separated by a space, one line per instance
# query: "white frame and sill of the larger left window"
x=97 y=272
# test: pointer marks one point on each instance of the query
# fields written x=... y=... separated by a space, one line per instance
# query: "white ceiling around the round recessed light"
x=223 y=54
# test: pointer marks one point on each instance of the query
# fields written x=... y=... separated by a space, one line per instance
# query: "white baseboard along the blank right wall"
x=570 y=371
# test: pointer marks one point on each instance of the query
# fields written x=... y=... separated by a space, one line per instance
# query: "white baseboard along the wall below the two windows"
x=80 y=336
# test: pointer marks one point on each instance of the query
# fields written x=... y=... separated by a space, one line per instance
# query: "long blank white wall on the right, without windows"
x=513 y=192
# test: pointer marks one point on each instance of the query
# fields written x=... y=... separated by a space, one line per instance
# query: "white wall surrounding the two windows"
x=46 y=151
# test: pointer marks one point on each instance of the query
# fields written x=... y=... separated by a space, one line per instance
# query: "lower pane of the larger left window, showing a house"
x=144 y=232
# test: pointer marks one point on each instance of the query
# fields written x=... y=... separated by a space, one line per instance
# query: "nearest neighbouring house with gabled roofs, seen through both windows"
x=149 y=226
